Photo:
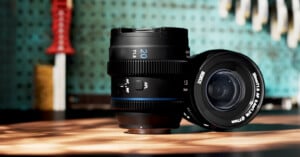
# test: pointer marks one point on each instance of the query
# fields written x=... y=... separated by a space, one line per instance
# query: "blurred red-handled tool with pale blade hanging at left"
x=61 y=12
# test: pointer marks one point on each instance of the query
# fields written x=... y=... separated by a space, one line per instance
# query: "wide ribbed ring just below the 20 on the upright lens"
x=146 y=67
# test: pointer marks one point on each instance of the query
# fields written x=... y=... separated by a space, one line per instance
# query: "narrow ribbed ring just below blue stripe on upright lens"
x=147 y=106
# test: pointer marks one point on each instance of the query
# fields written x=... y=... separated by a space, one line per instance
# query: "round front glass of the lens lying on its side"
x=224 y=89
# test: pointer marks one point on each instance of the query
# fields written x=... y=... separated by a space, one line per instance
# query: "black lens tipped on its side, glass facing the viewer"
x=226 y=90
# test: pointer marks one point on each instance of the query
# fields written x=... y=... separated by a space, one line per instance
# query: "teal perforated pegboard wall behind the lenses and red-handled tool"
x=91 y=25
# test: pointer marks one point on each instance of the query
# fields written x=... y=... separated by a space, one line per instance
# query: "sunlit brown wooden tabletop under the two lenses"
x=102 y=136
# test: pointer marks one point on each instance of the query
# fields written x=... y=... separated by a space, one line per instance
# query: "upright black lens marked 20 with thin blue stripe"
x=147 y=69
